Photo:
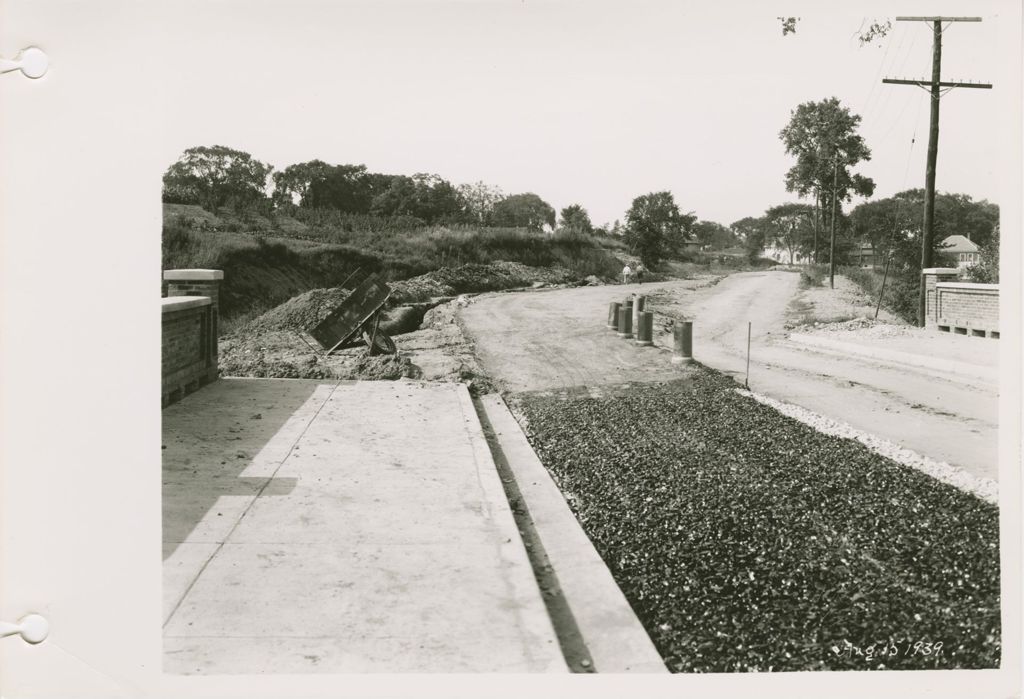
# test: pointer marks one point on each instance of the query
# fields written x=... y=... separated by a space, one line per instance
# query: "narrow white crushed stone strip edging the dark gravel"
x=985 y=489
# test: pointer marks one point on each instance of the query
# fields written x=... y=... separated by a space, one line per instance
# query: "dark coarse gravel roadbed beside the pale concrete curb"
x=747 y=541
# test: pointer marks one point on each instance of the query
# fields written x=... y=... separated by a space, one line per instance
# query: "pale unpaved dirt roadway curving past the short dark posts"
x=558 y=339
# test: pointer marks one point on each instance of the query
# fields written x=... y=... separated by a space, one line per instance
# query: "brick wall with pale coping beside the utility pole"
x=962 y=309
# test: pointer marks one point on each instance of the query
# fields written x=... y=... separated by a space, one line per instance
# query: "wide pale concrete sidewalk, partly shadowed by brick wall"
x=325 y=528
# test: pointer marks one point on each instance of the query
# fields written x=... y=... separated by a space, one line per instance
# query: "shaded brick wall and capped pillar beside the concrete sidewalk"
x=190 y=331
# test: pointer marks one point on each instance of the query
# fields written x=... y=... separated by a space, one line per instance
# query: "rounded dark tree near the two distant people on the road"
x=656 y=229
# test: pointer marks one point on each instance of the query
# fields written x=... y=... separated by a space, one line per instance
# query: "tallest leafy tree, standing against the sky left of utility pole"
x=824 y=139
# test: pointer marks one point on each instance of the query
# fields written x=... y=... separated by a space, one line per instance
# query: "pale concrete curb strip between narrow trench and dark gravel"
x=614 y=636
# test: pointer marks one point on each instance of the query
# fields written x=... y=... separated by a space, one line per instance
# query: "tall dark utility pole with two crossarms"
x=937 y=89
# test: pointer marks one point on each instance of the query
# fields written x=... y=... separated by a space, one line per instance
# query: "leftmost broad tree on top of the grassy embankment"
x=214 y=177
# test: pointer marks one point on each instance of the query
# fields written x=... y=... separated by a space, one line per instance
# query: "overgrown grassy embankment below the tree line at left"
x=270 y=266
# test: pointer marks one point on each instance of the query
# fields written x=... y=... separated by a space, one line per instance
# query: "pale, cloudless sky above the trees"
x=584 y=103
